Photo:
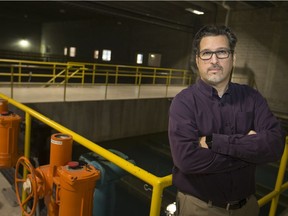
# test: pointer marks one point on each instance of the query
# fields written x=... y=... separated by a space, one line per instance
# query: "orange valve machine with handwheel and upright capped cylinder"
x=66 y=186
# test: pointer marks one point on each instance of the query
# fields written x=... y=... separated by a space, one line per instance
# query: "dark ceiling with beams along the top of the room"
x=161 y=12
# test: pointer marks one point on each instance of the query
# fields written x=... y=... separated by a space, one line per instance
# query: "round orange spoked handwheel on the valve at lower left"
x=28 y=185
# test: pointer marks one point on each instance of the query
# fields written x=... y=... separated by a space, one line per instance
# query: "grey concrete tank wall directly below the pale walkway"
x=109 y=120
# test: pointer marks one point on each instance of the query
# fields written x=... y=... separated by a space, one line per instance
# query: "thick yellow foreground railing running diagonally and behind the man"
x=158 y=183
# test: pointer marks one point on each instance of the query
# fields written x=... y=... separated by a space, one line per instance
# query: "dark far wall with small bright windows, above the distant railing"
x=125 y=39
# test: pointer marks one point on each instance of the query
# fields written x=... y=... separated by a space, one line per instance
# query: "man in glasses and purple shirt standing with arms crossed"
x=219 y=131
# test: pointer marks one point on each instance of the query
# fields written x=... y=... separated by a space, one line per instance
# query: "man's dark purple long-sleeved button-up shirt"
x=226 y=171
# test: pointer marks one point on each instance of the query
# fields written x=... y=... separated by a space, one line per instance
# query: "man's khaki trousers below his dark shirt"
x=188 y=205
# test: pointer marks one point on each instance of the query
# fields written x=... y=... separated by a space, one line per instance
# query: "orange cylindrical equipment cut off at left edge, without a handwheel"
x=9 y=134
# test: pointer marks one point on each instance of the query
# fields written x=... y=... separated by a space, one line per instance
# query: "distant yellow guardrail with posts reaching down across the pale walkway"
x=24 y=73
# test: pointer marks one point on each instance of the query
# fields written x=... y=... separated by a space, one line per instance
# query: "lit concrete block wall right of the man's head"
x=262 y=50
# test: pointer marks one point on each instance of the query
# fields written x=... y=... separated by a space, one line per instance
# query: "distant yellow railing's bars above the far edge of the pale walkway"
x=20 y=71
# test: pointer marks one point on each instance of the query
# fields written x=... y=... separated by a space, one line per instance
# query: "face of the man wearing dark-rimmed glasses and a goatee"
x=216 y=70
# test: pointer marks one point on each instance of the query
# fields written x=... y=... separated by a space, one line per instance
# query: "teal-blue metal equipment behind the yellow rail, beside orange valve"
x=104 y=193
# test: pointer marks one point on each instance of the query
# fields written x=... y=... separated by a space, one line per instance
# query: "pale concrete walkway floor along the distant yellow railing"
x=88 y=93
